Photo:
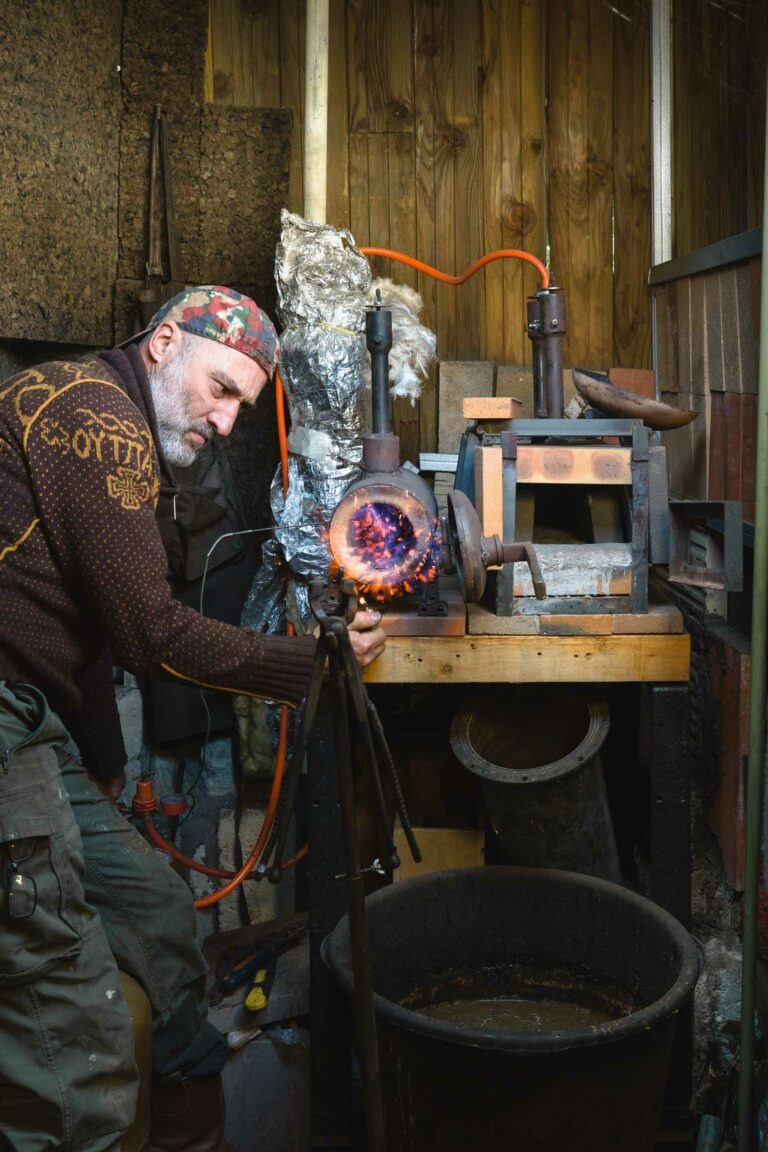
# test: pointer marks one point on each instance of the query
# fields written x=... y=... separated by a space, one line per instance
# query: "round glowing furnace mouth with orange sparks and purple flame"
x=385 y=540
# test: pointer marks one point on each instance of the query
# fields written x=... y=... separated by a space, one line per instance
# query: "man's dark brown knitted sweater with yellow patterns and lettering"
x=81 y=559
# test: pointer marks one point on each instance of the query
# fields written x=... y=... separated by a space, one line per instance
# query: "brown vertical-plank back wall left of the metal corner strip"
x=459 y=128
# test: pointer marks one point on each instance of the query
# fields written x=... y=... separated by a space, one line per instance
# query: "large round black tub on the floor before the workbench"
x=454 y=1089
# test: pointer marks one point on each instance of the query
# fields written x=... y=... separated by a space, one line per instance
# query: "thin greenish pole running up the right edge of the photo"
x=757 y=745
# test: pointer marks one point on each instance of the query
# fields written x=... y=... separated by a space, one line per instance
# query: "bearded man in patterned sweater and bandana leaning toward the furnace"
x=83 y=451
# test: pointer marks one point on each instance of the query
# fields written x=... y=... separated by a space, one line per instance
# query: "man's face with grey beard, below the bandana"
x=197 y=393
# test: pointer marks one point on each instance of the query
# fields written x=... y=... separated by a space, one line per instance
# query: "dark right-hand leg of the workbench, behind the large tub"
x=666 y=737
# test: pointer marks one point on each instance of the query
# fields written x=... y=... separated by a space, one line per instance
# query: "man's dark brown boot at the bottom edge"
x=188 y=1115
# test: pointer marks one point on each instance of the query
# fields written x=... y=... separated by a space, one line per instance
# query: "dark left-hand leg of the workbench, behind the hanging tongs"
x=330 y=1012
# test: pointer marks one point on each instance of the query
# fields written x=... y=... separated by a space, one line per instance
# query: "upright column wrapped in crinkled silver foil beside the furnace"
x=323 y=281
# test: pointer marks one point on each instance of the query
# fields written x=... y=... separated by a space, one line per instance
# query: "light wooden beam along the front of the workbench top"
x=533 y=660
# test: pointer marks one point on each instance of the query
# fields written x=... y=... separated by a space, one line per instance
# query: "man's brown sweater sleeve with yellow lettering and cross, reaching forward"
x=95 y=475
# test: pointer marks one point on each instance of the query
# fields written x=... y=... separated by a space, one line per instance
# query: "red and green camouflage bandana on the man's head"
x=224 y=315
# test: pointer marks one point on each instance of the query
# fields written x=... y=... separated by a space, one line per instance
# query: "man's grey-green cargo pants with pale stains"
x=81 y=893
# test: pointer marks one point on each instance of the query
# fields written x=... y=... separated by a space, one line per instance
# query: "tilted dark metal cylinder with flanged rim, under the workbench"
x=536 y=751
